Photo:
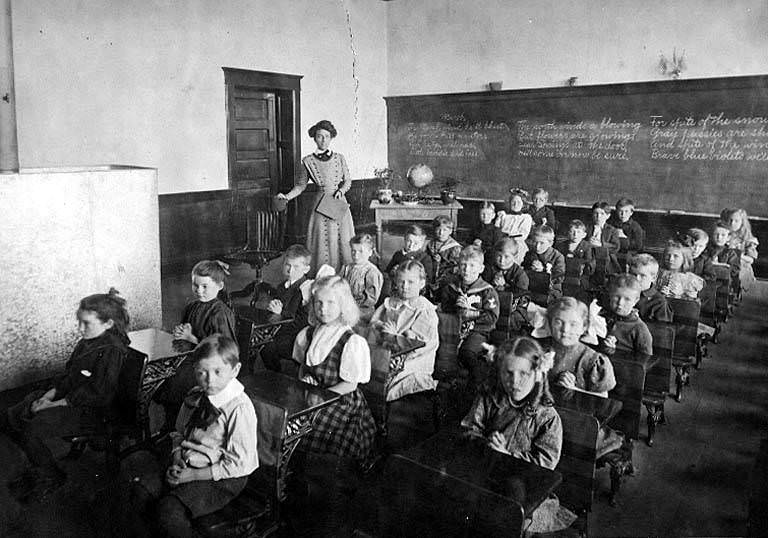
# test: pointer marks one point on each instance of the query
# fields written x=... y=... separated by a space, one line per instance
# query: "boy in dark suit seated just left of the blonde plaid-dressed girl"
x=289 y=301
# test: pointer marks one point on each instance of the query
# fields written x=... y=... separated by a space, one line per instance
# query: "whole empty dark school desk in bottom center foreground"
x=451 y=481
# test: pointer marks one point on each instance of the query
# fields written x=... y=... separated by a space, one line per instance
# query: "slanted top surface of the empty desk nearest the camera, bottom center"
x=473 y=462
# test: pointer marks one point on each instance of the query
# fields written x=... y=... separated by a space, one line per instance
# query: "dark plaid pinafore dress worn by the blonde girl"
x=346 y=428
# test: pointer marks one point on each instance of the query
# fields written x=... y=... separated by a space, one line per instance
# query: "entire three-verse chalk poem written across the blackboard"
x=714 y=137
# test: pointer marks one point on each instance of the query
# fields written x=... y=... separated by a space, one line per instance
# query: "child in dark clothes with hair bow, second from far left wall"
x=205 y=316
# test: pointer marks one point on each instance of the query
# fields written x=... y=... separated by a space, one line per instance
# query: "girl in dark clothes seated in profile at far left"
x=77 y=403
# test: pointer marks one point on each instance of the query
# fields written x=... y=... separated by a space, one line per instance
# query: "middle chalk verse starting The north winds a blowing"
x=607 y=139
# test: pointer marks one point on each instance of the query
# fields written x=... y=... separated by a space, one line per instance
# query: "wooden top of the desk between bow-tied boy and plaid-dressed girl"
x=296 y=397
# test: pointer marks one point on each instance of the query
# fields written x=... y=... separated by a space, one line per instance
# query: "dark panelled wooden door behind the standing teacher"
x=253 y=159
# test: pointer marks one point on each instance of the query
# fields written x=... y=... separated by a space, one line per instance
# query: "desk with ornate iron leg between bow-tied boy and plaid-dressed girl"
x=302 y=402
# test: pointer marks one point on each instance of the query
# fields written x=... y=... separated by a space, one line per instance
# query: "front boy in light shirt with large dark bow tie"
x=213 y=445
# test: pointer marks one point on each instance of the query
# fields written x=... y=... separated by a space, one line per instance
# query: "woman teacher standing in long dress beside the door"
x=327 y=237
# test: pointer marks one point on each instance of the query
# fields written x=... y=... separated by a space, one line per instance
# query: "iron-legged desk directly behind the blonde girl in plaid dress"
x=388 y=353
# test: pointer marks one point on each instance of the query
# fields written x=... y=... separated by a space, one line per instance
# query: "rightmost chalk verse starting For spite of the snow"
x=714 y=137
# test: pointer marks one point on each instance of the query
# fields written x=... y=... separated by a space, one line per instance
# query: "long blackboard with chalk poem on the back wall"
x=680 y=145
